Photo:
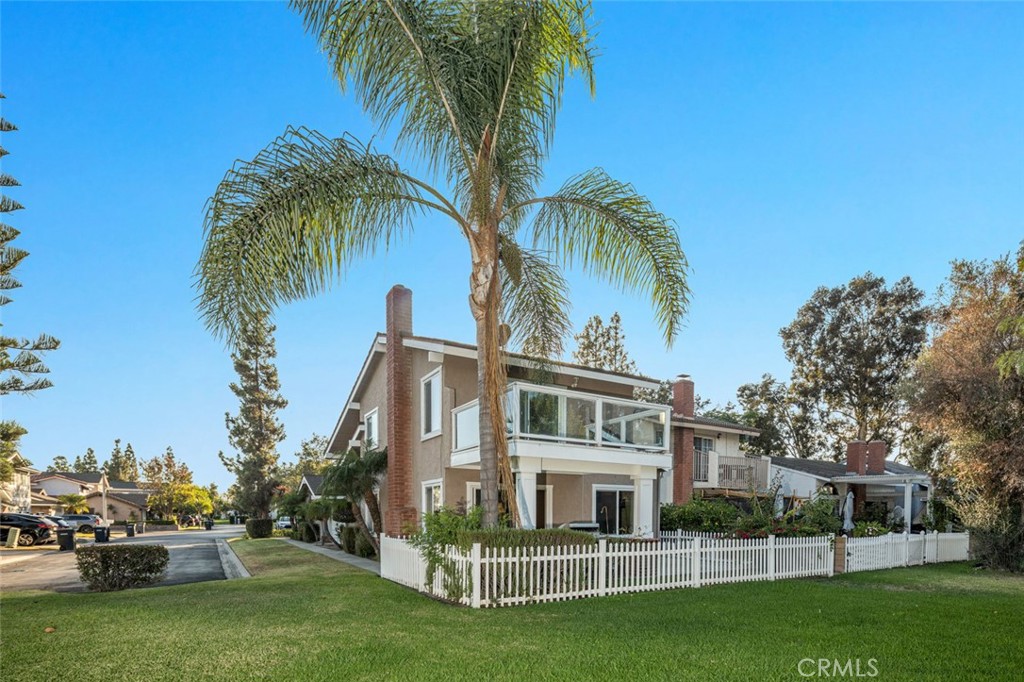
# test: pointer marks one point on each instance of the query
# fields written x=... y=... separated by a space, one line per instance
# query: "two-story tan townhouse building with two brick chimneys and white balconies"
x=581 y=448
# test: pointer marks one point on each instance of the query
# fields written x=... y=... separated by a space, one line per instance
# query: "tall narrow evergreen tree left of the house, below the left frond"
x=255 y=432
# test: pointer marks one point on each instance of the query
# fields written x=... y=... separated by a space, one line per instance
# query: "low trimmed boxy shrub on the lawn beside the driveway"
x=120 y=567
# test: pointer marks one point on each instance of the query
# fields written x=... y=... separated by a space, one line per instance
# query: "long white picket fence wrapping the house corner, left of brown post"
x=503 y=577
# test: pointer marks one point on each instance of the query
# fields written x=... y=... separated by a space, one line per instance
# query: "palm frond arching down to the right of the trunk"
x=612 y=232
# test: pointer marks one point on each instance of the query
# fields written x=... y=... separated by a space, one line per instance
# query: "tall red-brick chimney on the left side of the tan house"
x=400 y=509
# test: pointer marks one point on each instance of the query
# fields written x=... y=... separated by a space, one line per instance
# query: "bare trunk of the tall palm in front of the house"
x=496 y=472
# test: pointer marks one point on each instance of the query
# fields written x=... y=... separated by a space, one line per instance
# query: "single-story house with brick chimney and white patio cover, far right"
x=875 y=481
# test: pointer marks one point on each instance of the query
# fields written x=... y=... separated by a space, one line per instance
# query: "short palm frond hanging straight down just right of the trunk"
x=536 y=301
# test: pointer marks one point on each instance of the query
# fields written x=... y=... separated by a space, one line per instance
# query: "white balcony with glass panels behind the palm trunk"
x=556 y=422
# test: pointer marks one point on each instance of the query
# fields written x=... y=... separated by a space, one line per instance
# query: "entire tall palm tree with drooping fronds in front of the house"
x=475 y=90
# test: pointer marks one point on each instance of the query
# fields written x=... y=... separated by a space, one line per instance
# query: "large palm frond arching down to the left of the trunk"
x=288 y=224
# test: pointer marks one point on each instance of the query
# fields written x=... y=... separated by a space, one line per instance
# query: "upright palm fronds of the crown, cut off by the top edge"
x=460 y=76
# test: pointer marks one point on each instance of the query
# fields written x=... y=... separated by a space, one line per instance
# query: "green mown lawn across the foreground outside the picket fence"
x=307 y=618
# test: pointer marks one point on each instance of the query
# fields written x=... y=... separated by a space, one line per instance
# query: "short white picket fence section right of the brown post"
x=894 y=550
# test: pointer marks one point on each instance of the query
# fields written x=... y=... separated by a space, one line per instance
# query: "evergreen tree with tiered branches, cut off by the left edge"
x=21 y=364
